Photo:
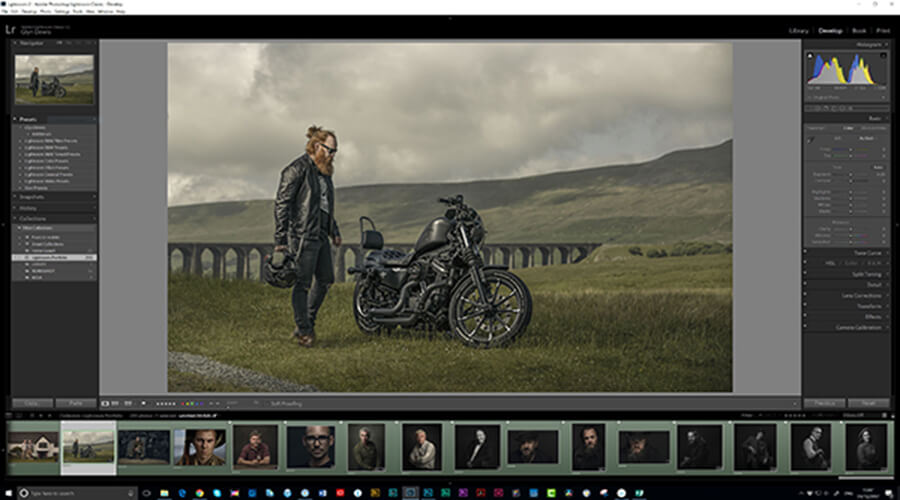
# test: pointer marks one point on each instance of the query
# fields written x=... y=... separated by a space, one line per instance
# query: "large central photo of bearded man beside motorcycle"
x=610 y=207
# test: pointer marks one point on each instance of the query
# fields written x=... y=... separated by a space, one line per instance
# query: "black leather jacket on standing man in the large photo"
x=297 y=212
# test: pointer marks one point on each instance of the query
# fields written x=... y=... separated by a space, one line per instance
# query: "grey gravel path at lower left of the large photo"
x=201 y=365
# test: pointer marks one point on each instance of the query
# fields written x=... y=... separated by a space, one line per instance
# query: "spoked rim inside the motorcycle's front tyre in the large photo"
x=491 y=320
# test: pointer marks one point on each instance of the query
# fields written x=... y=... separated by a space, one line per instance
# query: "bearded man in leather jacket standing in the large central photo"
x=304 y=218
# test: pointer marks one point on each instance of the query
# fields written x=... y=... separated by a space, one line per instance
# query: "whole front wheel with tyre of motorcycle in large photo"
x=495 y=319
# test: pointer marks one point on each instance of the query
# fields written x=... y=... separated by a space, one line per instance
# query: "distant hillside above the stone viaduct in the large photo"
x=683 y=195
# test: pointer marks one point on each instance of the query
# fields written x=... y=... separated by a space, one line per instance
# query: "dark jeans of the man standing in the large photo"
x=313 y=259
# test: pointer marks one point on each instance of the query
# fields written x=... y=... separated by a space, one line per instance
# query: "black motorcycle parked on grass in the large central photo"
x=442 y=285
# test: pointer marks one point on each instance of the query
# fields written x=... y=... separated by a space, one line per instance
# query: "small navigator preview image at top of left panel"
x=54 y=79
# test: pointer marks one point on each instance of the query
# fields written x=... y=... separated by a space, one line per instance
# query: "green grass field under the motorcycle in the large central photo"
x=631 y=325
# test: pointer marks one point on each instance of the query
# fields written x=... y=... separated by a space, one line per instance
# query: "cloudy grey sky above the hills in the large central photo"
x=428 y=112
